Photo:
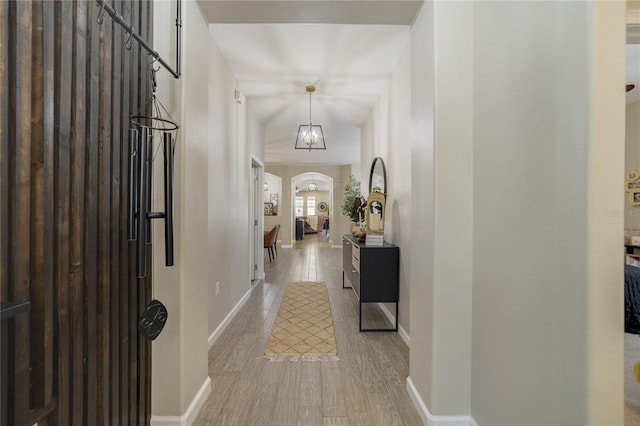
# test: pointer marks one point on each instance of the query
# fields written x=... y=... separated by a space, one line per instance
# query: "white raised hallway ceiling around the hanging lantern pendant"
x=348 y=64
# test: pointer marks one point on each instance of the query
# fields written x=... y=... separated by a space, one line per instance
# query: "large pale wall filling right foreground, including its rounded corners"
x=514 y=111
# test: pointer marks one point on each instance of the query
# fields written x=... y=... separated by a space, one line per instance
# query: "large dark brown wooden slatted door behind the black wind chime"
x=71 y=352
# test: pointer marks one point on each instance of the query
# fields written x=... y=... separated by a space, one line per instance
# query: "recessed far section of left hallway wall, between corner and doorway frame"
x=229 y=192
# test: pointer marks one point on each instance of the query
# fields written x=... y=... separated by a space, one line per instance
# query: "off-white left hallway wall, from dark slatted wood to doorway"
x=217 y=139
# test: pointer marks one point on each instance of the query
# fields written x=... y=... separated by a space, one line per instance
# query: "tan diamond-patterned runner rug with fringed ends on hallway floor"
x=304 y=327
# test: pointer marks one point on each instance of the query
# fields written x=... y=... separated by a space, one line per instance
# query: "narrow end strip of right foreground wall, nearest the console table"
x=421 y=249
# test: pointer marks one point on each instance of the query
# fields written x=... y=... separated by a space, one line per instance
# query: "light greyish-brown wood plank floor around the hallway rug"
x=365 y=387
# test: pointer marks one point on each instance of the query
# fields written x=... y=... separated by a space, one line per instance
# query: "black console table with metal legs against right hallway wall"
x=373 y=272
